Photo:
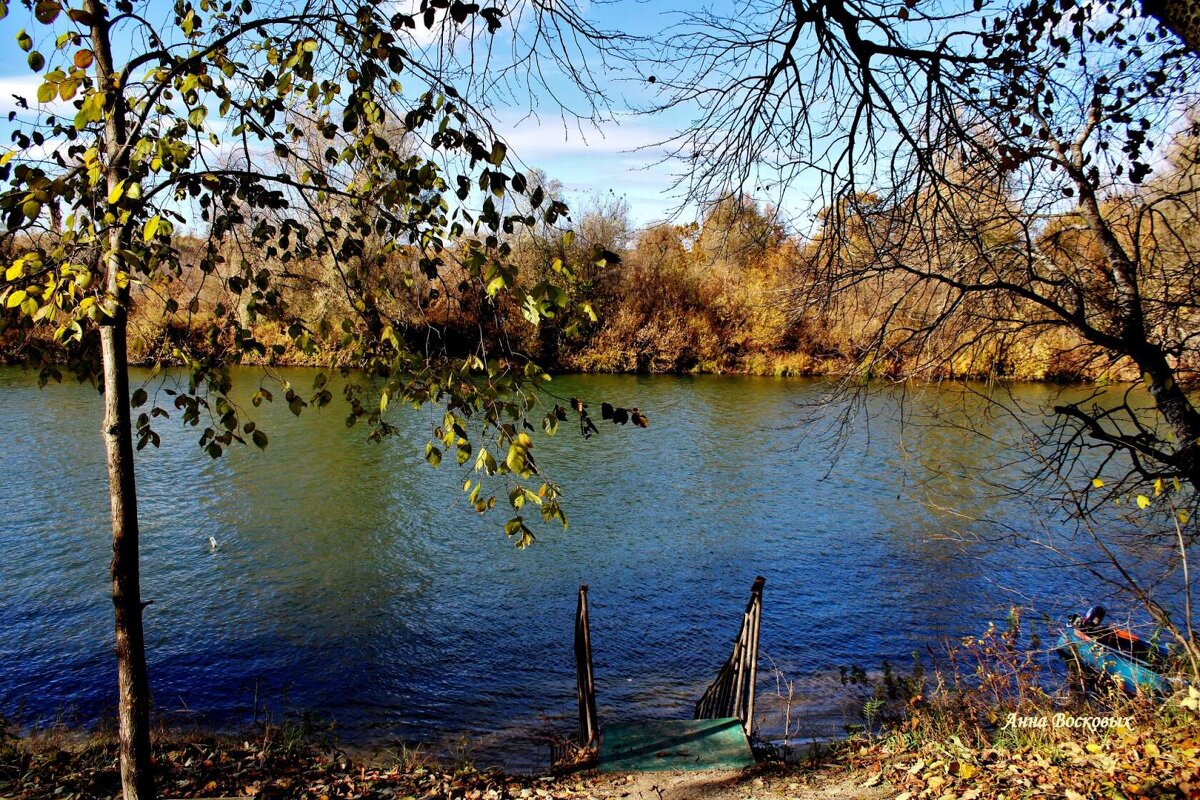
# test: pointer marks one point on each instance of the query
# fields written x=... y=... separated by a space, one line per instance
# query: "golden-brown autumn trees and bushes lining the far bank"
x=938 y=280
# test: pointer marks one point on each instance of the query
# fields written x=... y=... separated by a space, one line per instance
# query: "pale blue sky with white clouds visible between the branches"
x=620 y=158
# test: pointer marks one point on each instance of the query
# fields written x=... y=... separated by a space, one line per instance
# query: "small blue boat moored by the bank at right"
x=1131 y=661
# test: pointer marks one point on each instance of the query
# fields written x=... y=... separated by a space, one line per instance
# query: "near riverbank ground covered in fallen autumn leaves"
x=1155 y=756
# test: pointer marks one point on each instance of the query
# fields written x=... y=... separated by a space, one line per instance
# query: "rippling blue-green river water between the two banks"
x=353 y=581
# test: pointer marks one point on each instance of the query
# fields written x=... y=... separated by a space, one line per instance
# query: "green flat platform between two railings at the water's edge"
x=670 y=745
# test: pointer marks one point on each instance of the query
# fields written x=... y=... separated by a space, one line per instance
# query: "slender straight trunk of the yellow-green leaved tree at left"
x=133 y=681
